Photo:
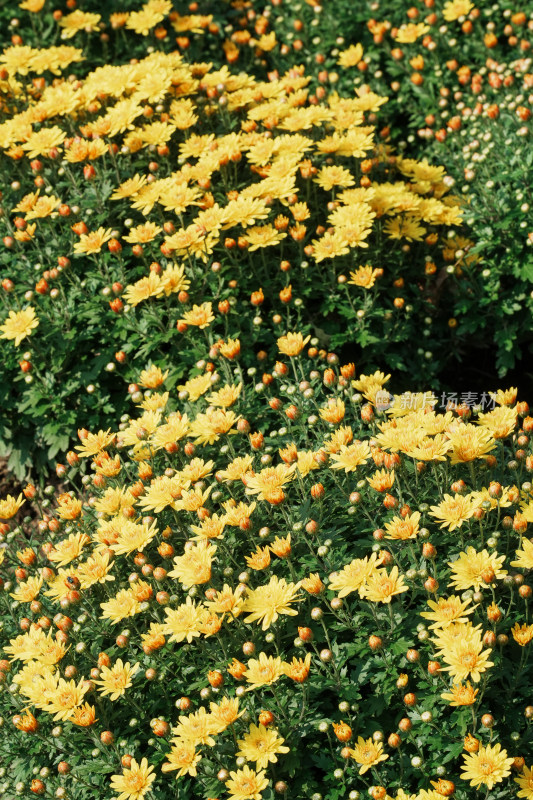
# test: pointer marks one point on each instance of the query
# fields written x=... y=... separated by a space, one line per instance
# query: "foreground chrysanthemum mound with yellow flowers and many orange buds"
x=305 y=588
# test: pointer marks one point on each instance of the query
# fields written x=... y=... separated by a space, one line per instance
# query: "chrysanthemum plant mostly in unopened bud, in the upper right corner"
x=458 y=75
